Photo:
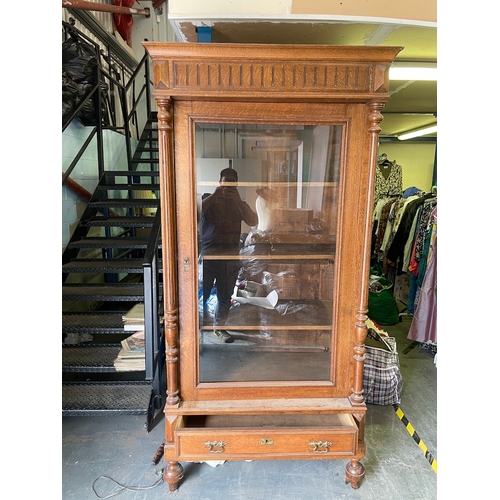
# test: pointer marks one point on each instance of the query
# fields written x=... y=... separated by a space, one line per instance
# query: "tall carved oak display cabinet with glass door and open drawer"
x=300 y=125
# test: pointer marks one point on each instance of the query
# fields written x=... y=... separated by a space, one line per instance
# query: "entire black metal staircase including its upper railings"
x=112 y=260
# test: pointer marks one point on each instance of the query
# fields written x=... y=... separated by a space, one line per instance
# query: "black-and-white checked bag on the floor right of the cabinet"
x=382 y=380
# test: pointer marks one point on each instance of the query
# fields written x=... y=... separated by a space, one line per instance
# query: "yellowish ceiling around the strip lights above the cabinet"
x=412 y=104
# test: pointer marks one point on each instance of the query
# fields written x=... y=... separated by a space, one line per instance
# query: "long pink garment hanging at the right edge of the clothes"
x=423 y=327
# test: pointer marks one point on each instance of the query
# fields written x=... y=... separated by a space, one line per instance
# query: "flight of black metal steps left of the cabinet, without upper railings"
x=112 y=262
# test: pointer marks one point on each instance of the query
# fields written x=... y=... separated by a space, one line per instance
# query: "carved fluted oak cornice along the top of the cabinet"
x=276 y=72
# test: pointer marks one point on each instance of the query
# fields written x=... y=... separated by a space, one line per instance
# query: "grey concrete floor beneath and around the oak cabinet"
x=103 y=455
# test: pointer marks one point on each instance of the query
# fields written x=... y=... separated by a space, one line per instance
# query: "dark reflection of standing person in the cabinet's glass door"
x=222 y=214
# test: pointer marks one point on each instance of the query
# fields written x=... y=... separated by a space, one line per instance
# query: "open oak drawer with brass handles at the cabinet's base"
x=225 y=437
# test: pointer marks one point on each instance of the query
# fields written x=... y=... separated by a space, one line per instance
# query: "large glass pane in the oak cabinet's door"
x=267 y=219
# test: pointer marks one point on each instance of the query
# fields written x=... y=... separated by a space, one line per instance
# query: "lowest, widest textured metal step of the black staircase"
x=94 y=398
